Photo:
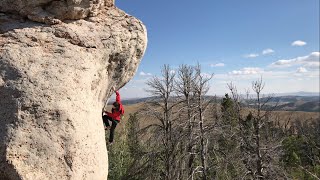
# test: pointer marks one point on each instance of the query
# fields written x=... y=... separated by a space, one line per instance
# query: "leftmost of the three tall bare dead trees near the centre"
x=162 y=110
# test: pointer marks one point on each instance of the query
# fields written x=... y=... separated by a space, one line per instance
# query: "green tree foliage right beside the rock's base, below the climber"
x=127 y=158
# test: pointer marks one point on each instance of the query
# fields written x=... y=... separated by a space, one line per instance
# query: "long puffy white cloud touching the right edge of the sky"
x=311 y=60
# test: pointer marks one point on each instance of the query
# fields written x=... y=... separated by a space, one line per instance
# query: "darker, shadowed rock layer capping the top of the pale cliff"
x=52 y=11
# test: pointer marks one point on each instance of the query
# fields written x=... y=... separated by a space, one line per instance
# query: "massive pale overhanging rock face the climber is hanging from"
x=53 y=83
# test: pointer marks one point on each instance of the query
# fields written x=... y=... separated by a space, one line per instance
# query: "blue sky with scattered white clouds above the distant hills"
x=238 y=41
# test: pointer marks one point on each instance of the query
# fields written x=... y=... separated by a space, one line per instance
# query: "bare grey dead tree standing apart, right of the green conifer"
x=259 y=147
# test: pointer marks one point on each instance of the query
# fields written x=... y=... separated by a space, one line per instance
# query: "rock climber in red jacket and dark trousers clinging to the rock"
x=114 y=117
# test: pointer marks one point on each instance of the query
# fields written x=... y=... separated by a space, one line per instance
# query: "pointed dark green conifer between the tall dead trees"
x=224 y=152
